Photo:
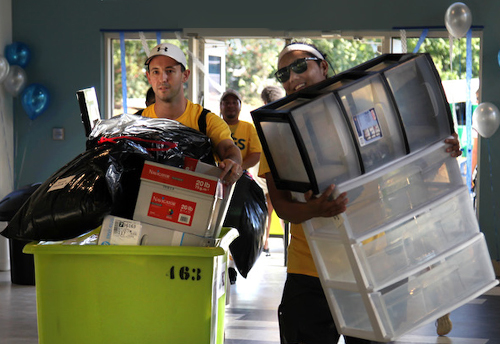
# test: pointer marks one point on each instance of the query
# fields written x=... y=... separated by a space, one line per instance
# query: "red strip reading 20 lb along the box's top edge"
x=180 y=179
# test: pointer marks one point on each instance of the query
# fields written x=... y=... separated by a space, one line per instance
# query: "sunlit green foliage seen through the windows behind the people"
x=251 y=63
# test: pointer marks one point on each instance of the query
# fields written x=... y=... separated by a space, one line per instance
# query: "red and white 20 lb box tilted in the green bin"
x=179 y=199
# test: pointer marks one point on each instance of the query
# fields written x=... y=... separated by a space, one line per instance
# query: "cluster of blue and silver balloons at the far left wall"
x=34 y=97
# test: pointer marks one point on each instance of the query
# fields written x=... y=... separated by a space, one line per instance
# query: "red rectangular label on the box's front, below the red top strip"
x=171 y=209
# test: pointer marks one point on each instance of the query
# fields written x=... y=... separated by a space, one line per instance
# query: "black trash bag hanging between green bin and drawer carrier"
x=247 y=213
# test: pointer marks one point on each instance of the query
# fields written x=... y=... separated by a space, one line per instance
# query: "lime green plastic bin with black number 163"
x=129 y=294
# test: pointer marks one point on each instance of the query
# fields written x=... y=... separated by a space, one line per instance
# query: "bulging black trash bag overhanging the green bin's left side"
x=71 y=202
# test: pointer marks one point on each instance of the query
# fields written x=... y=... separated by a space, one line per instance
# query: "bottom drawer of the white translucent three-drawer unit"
x=454 y=279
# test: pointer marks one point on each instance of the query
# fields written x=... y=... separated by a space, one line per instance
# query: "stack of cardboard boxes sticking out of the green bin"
x=175 y=207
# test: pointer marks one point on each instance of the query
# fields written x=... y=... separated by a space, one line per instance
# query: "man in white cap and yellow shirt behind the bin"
x=167 y=72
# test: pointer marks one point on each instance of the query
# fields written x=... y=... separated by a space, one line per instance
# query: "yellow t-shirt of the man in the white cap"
x=217 y=129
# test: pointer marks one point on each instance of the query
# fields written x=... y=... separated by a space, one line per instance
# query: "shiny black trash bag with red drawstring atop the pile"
x=162 y=140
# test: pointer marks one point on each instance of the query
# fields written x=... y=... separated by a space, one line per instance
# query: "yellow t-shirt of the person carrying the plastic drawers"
x=300 y=260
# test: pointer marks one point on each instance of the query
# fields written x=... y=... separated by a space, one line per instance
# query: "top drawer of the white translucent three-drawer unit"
x=389 y=193
